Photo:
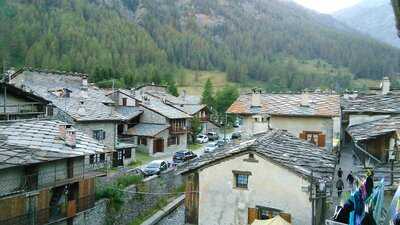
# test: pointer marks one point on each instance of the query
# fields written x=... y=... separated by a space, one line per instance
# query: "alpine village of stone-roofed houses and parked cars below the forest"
x=70 y=155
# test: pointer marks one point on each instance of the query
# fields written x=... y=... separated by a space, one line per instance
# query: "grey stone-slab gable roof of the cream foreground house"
x=284 y=149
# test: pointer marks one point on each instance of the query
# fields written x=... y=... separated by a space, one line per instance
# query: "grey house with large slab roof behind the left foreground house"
x=77 y=102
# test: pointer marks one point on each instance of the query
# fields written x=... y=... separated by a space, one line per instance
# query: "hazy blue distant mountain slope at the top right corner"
x=373 y=17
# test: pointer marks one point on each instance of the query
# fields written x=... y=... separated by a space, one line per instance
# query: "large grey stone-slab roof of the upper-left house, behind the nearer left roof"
x=83 y=104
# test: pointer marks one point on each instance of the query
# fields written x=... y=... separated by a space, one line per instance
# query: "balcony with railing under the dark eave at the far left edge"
x=23 y=108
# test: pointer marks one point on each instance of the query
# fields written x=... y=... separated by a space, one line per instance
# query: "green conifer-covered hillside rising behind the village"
x=276 y=42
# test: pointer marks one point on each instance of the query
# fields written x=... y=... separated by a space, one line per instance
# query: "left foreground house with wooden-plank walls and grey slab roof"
x=43 y=179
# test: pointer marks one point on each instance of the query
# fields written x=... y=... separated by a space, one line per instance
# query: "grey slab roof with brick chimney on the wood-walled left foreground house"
x=37 y=141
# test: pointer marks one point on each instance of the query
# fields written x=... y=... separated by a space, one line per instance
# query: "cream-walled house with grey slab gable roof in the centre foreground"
x=275 y=174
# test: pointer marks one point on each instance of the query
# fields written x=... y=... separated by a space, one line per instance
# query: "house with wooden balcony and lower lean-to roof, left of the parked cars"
x=159 y=127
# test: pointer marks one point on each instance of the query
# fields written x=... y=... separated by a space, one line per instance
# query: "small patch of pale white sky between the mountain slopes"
x=327 y=6
